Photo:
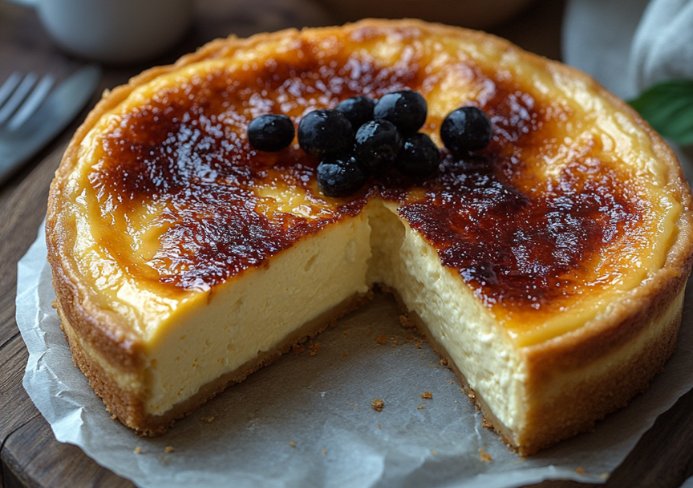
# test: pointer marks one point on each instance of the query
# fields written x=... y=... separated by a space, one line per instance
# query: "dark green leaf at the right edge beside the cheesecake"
x=668 y=107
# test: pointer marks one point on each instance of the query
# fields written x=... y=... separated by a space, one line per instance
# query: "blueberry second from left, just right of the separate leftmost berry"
x=325 y=131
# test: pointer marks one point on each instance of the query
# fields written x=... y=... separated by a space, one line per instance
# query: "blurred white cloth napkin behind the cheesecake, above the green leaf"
x=628 y=45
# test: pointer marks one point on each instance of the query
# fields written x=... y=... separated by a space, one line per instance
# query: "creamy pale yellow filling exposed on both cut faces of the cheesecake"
x=218 y=333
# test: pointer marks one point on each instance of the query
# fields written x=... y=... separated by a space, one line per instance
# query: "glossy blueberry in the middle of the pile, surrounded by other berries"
x=377 y=144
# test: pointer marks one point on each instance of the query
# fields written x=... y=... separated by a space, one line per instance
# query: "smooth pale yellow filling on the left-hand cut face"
x=219 y=332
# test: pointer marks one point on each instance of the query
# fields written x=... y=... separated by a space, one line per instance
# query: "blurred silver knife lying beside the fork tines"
x=60 y=107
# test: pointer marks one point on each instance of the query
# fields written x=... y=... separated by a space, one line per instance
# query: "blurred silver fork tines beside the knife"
x=21 y=96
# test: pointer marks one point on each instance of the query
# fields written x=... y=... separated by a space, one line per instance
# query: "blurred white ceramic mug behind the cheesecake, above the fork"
x=114 y=31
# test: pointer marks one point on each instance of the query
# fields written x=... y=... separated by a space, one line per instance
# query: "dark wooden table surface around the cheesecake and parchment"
x=30 y=454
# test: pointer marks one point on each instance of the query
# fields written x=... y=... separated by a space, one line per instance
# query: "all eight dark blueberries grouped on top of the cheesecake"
x=362 y=136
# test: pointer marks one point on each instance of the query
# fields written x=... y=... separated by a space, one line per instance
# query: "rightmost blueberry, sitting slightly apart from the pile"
x=466 y=129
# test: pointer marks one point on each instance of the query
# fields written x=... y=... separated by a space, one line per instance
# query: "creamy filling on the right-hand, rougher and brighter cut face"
x=481 y=349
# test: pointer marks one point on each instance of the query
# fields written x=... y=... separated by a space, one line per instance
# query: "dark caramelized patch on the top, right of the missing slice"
x=516 y=249
